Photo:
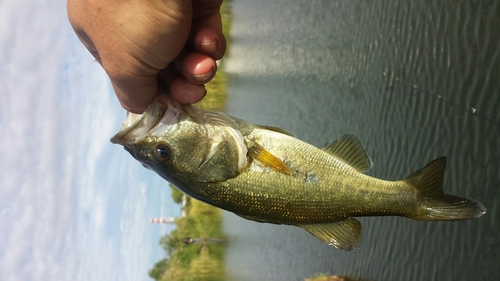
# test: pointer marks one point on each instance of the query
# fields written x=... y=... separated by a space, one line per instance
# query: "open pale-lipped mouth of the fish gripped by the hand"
x=136 y=126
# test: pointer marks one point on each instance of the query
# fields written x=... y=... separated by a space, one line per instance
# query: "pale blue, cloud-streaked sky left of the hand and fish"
x=73 y=206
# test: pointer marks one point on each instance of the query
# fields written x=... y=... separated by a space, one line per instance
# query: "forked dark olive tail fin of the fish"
x=434 y=204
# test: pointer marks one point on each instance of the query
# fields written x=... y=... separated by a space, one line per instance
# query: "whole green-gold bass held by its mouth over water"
x=265 y=174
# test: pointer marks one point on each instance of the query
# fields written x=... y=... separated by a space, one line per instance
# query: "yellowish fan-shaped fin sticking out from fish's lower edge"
x=345 y=234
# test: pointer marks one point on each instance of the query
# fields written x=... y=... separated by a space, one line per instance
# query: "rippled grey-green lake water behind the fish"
x=414 y=80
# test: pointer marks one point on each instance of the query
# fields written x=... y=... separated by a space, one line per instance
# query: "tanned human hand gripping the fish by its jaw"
x=143 y=45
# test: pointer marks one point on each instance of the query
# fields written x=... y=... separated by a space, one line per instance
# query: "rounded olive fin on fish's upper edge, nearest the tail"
x=349 y=149
